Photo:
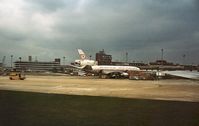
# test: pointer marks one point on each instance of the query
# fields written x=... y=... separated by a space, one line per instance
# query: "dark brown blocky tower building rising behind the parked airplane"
x=103 y=59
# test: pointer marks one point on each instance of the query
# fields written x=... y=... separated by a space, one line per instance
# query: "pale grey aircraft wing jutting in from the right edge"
x=184 y=74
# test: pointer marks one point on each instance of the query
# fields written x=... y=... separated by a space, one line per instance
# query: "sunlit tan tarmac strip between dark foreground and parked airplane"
x=174 y=90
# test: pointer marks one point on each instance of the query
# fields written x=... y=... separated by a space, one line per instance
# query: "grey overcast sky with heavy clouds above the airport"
x=48 y=29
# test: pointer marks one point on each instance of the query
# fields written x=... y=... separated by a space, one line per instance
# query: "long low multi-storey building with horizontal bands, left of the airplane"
x=37 y=66
